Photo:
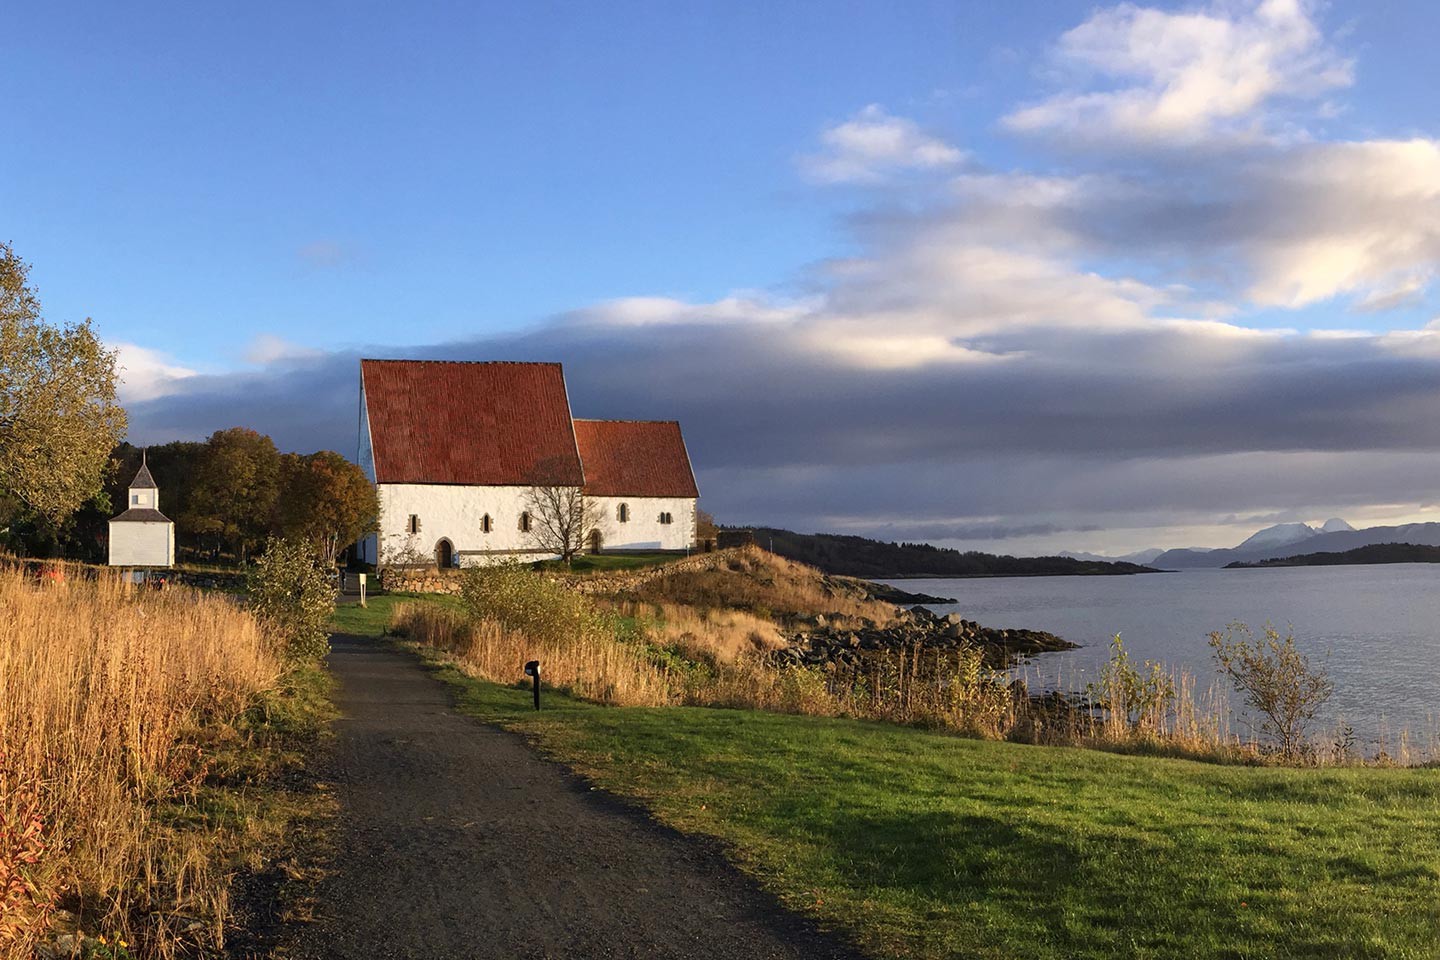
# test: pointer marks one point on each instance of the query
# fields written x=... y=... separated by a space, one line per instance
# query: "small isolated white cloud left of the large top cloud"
x=873 y=145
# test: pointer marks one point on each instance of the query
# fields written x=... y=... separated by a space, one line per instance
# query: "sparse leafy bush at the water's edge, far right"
x=1277 y=680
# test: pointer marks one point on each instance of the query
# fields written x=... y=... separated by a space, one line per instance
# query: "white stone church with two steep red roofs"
x=457 y=448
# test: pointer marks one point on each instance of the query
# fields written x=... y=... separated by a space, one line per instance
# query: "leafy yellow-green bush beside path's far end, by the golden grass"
x=294 y=595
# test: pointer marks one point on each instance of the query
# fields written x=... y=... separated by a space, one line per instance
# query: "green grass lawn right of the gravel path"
x=928 y=846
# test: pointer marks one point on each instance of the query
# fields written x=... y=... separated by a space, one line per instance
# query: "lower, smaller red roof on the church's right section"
x=636 y=458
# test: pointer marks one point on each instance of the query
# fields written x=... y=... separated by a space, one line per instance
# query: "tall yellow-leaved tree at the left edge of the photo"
x=58 y=412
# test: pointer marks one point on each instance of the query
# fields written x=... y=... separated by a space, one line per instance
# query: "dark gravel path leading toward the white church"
x=460 y=841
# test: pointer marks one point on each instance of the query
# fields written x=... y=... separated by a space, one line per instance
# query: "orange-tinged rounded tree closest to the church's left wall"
x=326 y=502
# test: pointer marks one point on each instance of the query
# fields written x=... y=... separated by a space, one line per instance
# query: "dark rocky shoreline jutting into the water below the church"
x=819 y=643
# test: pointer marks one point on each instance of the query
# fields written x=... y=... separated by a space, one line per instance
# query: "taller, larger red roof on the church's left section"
x=479 y=424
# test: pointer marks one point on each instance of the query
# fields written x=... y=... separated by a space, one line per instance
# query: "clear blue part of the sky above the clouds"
x=197 y=175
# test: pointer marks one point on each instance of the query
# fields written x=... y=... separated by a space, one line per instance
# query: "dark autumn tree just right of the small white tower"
x=233 y=499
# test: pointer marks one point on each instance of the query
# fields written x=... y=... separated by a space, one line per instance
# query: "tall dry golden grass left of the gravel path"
x=106 y=696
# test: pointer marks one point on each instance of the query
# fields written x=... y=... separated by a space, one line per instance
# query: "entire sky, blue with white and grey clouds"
x=1216 y=214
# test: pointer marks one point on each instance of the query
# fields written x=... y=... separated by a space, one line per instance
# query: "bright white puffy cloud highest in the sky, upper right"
x=1186 y=77
